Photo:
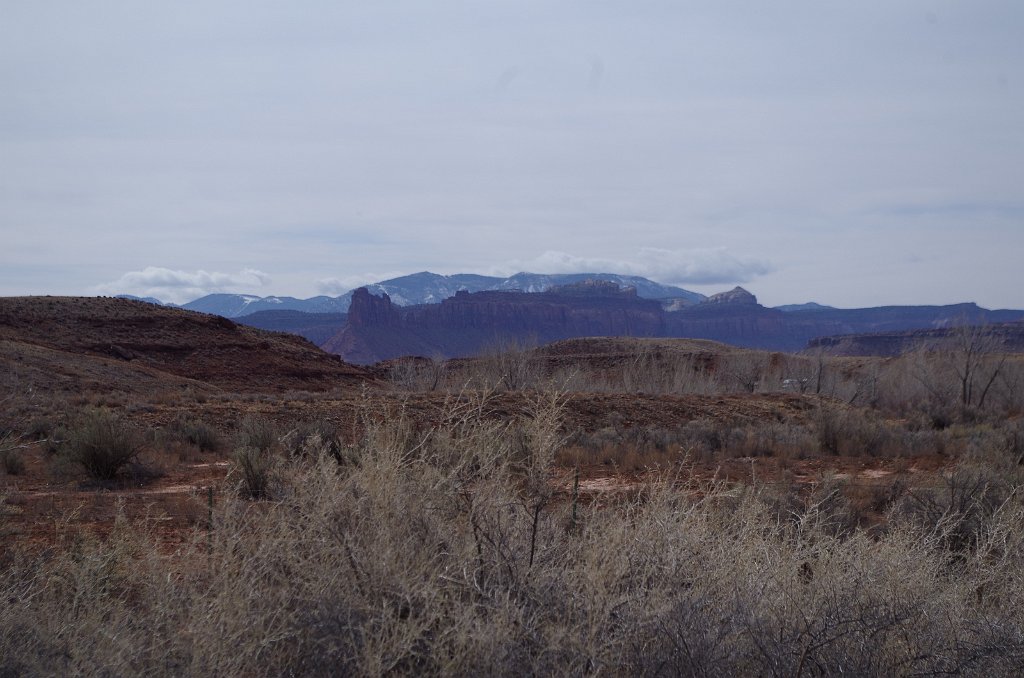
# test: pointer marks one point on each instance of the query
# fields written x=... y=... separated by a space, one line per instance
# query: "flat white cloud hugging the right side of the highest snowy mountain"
x=698 y=267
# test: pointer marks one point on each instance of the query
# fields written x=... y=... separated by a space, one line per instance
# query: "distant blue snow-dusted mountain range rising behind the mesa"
x=426 y=288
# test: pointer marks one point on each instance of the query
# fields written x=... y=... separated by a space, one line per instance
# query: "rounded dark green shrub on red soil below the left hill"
x=102 y=445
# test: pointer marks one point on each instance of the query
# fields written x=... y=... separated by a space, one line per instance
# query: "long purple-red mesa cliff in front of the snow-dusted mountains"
x=468 y=323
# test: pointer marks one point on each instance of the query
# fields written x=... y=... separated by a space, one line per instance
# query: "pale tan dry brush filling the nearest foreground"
x=447 y=554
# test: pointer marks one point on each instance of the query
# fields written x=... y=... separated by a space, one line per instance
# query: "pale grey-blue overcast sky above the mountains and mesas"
x=855 y=154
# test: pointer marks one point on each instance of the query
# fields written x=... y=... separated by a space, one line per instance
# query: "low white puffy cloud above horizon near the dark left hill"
x=184 y=286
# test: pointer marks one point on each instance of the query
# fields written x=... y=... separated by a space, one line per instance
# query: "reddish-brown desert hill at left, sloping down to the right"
x=121 y=344
